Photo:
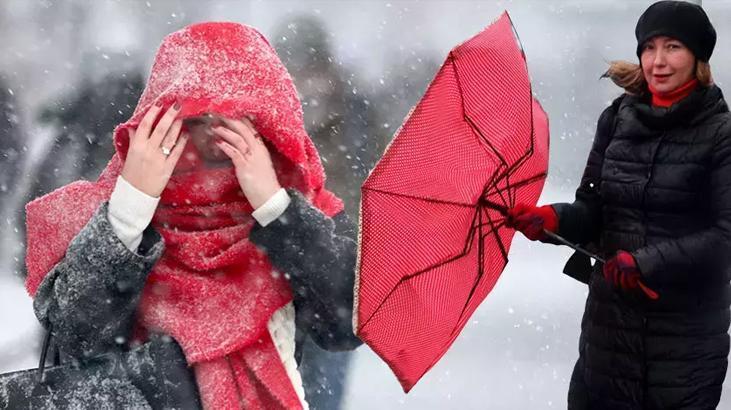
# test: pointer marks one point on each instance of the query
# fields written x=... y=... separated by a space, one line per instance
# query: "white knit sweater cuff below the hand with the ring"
x=130 y=211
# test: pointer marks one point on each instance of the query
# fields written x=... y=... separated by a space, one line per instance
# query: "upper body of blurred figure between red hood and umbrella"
x=340 y=118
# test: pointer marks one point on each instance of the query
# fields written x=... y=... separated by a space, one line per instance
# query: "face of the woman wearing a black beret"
x=667 y=64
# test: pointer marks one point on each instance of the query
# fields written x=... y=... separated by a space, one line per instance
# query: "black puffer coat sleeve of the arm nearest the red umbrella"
x=580 y=222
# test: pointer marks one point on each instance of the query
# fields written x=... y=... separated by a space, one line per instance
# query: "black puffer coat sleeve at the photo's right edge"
x=708 y=251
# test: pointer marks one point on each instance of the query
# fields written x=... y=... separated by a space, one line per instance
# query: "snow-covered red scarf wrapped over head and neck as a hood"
x=212 y=290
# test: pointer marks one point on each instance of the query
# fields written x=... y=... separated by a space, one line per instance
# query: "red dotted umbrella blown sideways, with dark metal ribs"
x=433 y=240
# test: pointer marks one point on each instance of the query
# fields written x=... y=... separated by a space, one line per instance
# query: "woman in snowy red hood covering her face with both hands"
x=230 y=244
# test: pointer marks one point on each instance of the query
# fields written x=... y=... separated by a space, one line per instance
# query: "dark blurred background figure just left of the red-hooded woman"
x=81 y=126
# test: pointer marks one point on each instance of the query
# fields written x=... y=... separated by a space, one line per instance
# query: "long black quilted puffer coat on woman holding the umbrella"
x=657 y=184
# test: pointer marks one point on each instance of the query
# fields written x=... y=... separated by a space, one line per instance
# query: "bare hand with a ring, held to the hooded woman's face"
x=153 y=153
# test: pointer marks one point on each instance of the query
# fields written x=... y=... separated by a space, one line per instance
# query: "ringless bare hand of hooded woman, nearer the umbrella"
x=254 y=170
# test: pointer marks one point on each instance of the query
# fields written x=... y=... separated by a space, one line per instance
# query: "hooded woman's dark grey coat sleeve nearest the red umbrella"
x=317 y=255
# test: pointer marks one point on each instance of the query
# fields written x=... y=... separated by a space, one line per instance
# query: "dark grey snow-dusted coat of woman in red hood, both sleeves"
x=90 y=297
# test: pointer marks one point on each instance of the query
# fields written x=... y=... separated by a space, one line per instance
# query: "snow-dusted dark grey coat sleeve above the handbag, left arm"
x=90 y=297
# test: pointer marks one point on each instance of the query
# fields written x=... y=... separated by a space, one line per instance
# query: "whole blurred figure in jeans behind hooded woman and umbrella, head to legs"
x=343 y=124
